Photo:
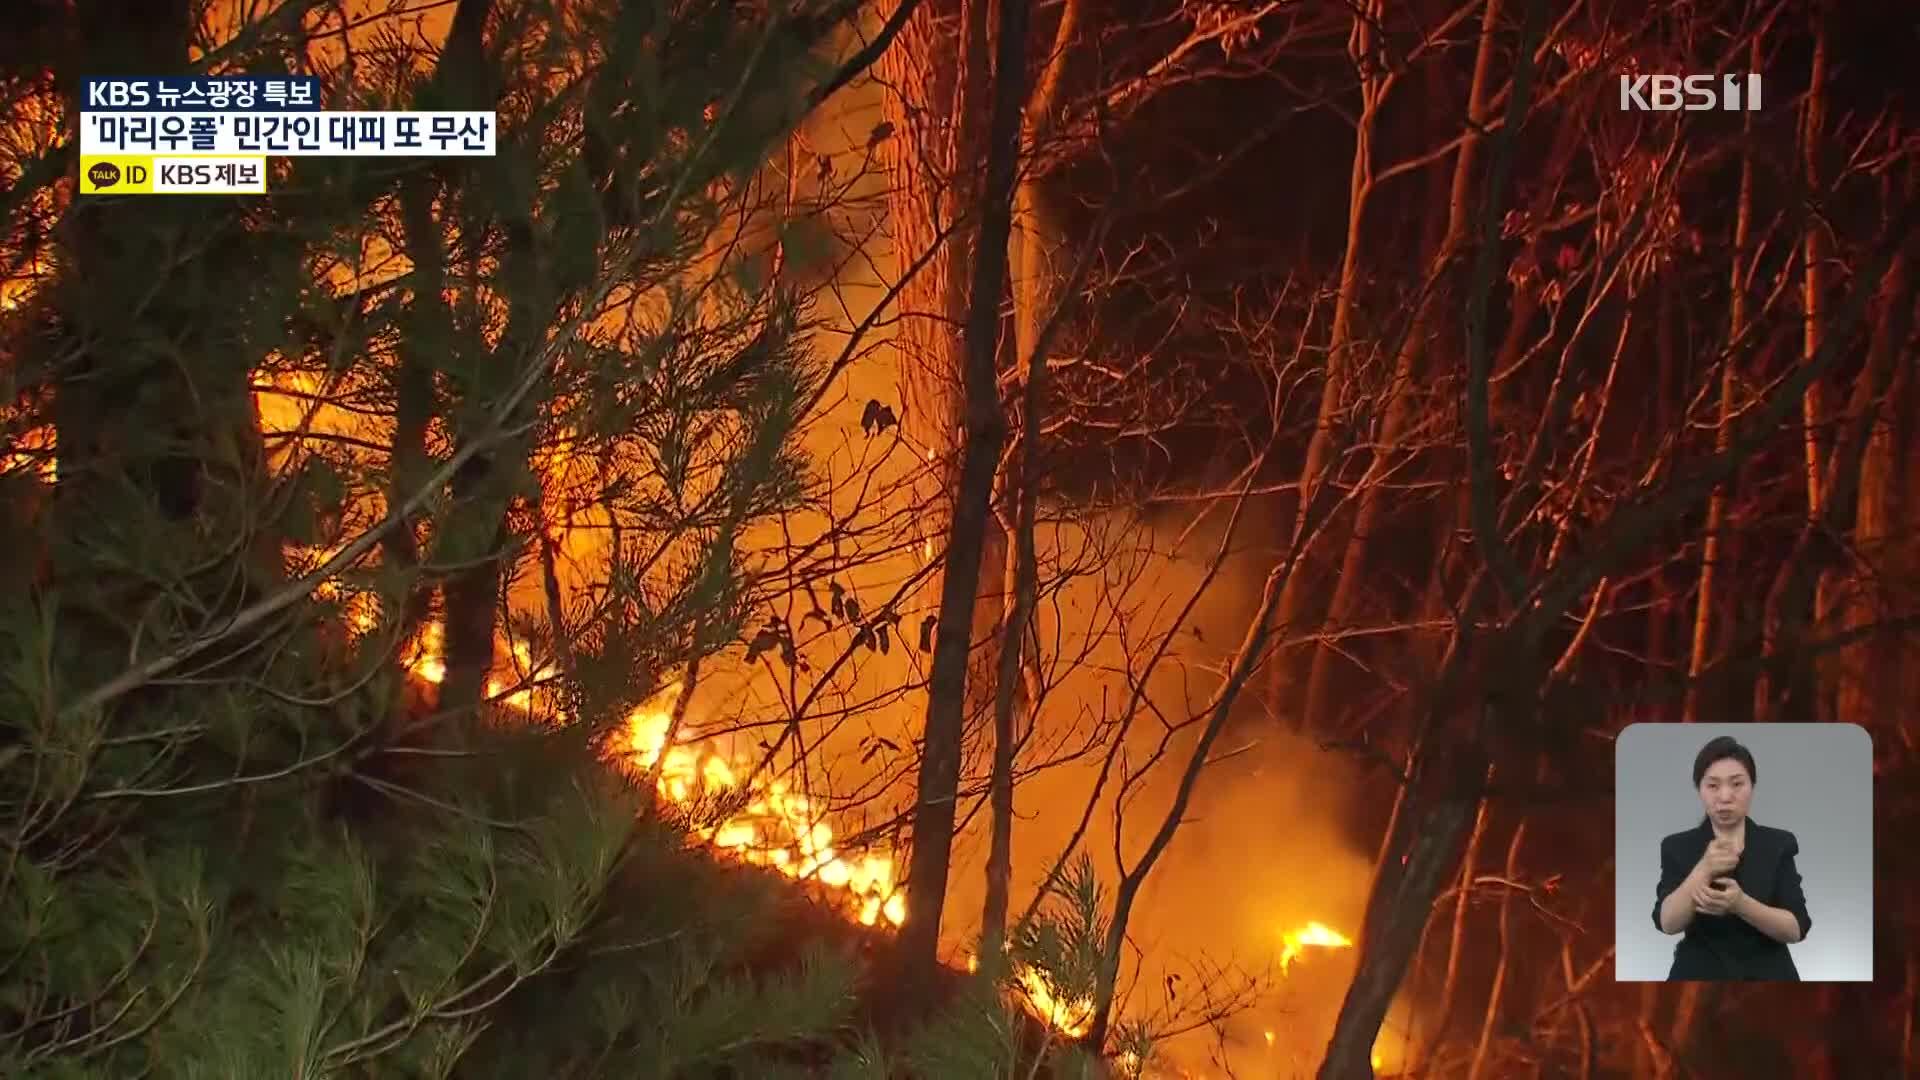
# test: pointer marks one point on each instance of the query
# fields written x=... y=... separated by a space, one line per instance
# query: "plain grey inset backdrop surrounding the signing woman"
x=1815 y=781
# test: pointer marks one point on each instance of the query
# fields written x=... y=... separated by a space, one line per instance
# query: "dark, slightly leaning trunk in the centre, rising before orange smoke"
x=972 y=512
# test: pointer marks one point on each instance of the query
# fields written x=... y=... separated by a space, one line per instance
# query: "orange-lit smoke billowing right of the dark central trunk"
x=1266 y=843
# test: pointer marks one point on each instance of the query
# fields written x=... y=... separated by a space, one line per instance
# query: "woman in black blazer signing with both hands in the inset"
x=1731 y=883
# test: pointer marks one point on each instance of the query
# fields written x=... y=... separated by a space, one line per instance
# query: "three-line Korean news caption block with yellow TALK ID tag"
x=218 y=134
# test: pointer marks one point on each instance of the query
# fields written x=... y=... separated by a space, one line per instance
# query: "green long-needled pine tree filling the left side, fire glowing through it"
x=243 y=835
